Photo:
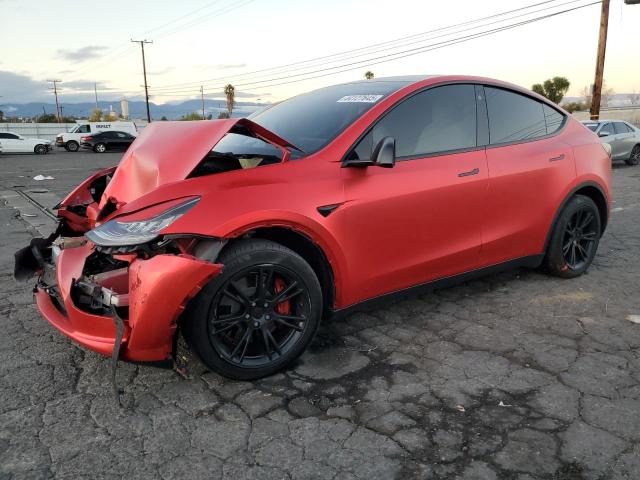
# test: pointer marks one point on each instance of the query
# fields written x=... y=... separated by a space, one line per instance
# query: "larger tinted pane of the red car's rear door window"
x=513 y=117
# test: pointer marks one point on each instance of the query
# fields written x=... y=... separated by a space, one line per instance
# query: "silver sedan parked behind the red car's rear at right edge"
x=623 y=137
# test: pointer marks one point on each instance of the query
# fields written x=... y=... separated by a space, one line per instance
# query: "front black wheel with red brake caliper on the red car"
x=258 y=315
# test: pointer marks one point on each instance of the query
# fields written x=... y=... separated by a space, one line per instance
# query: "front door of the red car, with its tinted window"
x=422 y=219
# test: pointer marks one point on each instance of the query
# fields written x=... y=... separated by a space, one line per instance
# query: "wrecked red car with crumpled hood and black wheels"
x=246 y=233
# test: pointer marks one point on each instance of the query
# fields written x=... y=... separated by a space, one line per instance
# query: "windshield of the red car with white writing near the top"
x=312 y=120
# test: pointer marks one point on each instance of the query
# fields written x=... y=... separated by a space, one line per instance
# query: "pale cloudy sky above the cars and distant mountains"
x=211 y=43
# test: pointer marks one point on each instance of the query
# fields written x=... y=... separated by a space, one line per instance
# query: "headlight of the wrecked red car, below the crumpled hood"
x=116 y=233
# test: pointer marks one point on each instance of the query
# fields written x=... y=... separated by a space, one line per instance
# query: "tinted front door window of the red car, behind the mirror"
x=437 y=120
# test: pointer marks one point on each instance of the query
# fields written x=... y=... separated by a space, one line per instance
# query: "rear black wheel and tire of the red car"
x=575 y=238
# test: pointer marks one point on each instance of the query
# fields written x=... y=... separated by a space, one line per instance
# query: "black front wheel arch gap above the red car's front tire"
x=308 y=249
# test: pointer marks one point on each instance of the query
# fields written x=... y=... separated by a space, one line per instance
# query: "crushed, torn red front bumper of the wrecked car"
x=146 y=295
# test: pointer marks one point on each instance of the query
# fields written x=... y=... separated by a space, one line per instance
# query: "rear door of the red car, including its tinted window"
x=529 y=170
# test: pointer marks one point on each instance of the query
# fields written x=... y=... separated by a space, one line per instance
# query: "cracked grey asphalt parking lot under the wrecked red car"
x=516 y=376
